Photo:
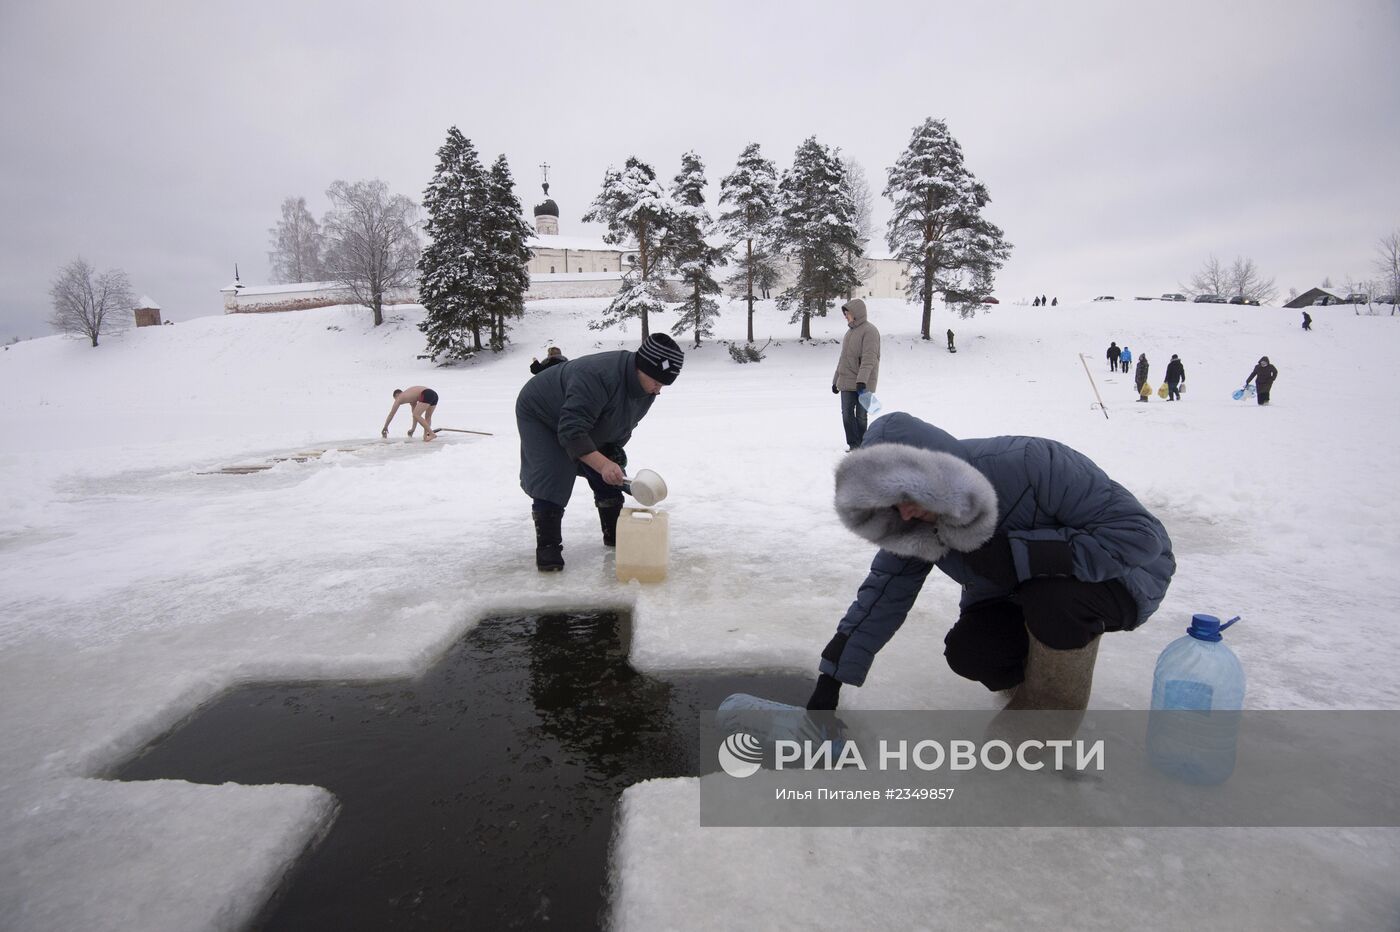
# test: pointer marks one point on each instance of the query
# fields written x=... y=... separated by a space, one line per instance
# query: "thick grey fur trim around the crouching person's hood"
x=873 y=481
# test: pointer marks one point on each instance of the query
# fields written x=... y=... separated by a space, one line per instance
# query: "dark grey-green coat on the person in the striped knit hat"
x=570 y=411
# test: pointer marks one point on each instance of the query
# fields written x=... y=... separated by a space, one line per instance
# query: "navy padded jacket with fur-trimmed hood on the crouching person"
x=1038 y=493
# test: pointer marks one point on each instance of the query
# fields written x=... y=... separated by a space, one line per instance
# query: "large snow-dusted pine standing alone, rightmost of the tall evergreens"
x=937 y=229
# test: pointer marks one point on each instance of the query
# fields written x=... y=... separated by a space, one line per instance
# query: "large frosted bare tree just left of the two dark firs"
x=372 y=241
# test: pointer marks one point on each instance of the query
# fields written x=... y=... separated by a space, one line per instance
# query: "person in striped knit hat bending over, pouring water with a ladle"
x=575 y=421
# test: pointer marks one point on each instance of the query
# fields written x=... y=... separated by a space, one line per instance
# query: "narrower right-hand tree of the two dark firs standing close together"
x=506 y=237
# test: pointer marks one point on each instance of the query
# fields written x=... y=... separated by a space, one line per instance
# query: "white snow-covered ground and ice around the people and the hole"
x=136 y=586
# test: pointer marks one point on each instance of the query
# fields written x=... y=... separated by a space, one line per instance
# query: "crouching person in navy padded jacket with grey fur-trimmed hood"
x=1049 y=551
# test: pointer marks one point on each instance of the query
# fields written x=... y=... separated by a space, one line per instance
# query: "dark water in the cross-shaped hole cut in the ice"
x=479 y=796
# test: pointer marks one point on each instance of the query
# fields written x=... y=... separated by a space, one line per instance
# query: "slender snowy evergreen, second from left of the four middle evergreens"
x=691 y=255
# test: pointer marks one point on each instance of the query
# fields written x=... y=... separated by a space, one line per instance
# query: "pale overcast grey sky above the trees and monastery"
x=1122 y=142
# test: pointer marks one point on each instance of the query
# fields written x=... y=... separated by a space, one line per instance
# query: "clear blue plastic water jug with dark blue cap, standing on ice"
x=1198 y=696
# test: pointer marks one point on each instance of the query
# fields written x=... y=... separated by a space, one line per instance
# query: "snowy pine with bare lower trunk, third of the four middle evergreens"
x=751 y=191
